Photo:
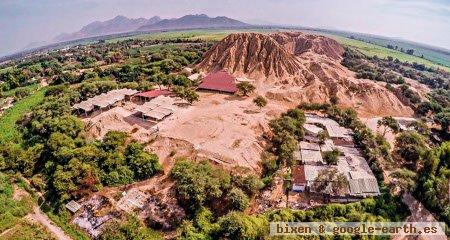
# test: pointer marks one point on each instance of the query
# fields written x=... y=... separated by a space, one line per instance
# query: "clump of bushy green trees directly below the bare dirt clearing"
x=200 y=185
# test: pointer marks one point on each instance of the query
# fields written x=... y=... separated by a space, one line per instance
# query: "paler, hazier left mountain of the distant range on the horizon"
x=119 y=24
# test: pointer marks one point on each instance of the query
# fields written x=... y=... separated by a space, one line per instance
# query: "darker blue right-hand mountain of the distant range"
x=193 y=21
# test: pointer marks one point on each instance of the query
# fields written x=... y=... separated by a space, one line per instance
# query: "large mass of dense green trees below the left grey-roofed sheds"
x=59 y=160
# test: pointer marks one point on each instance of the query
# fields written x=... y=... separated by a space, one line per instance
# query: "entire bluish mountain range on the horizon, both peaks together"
x=122 y=24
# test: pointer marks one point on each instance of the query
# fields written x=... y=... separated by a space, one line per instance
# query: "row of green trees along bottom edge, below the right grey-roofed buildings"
x=236 y=225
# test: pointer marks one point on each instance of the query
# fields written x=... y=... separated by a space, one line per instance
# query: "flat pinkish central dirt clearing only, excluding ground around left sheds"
x=224 y=128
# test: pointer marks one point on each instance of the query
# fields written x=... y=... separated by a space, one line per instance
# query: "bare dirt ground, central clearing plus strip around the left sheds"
x=224 y=128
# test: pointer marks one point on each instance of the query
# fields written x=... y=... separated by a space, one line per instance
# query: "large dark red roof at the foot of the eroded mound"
x=219 y=81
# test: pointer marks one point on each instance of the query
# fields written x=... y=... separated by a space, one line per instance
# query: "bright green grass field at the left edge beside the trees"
x=8 y=130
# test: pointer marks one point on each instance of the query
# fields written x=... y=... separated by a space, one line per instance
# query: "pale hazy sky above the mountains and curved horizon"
x=426 y=21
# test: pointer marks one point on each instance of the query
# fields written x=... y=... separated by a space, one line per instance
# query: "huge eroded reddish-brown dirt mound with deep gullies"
x=299 y=67
